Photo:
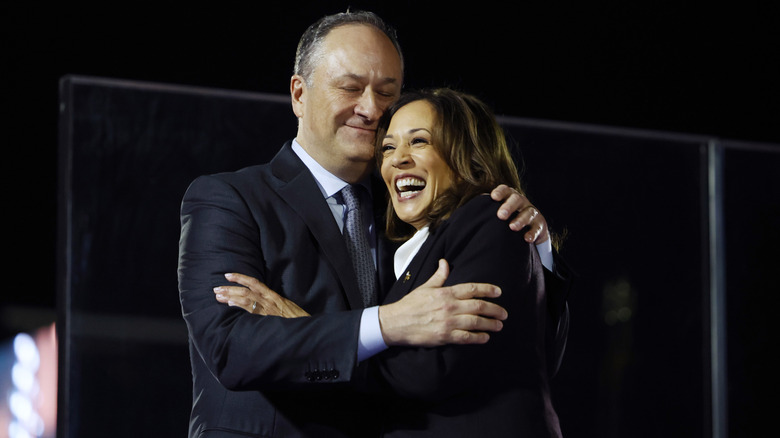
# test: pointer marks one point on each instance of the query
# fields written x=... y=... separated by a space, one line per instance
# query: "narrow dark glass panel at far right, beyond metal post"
x=752 y=209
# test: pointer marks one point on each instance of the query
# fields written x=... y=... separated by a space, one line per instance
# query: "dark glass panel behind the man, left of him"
x=128 y=153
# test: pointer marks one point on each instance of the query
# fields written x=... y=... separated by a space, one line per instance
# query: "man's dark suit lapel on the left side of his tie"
x=297 y=187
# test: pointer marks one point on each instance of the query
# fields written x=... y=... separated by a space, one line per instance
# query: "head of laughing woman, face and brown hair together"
x=437 y=150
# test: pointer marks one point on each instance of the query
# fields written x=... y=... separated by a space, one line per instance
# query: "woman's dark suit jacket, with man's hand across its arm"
x=492 y=390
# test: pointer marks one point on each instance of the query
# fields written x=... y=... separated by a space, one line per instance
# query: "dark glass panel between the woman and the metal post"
x=631 y=204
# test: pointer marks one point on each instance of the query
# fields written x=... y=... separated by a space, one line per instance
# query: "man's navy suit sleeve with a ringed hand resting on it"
x=242 y=350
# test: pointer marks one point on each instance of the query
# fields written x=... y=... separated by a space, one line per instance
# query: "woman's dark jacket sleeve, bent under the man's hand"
x=479 y=248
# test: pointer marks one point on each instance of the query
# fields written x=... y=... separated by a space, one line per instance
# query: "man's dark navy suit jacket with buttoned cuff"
x=265 y=376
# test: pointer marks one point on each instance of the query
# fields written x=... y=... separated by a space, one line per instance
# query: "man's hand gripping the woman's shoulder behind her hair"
x=527 y=214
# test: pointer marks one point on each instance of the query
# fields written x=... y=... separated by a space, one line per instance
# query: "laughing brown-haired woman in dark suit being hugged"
x=440 y=153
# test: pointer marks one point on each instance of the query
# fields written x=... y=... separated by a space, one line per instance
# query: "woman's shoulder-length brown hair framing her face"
x=471 y=142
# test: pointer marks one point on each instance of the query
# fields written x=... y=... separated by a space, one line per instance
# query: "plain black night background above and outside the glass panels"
x=674 y=66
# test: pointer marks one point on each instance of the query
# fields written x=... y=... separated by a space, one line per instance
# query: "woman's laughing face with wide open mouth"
x=413 y=170
